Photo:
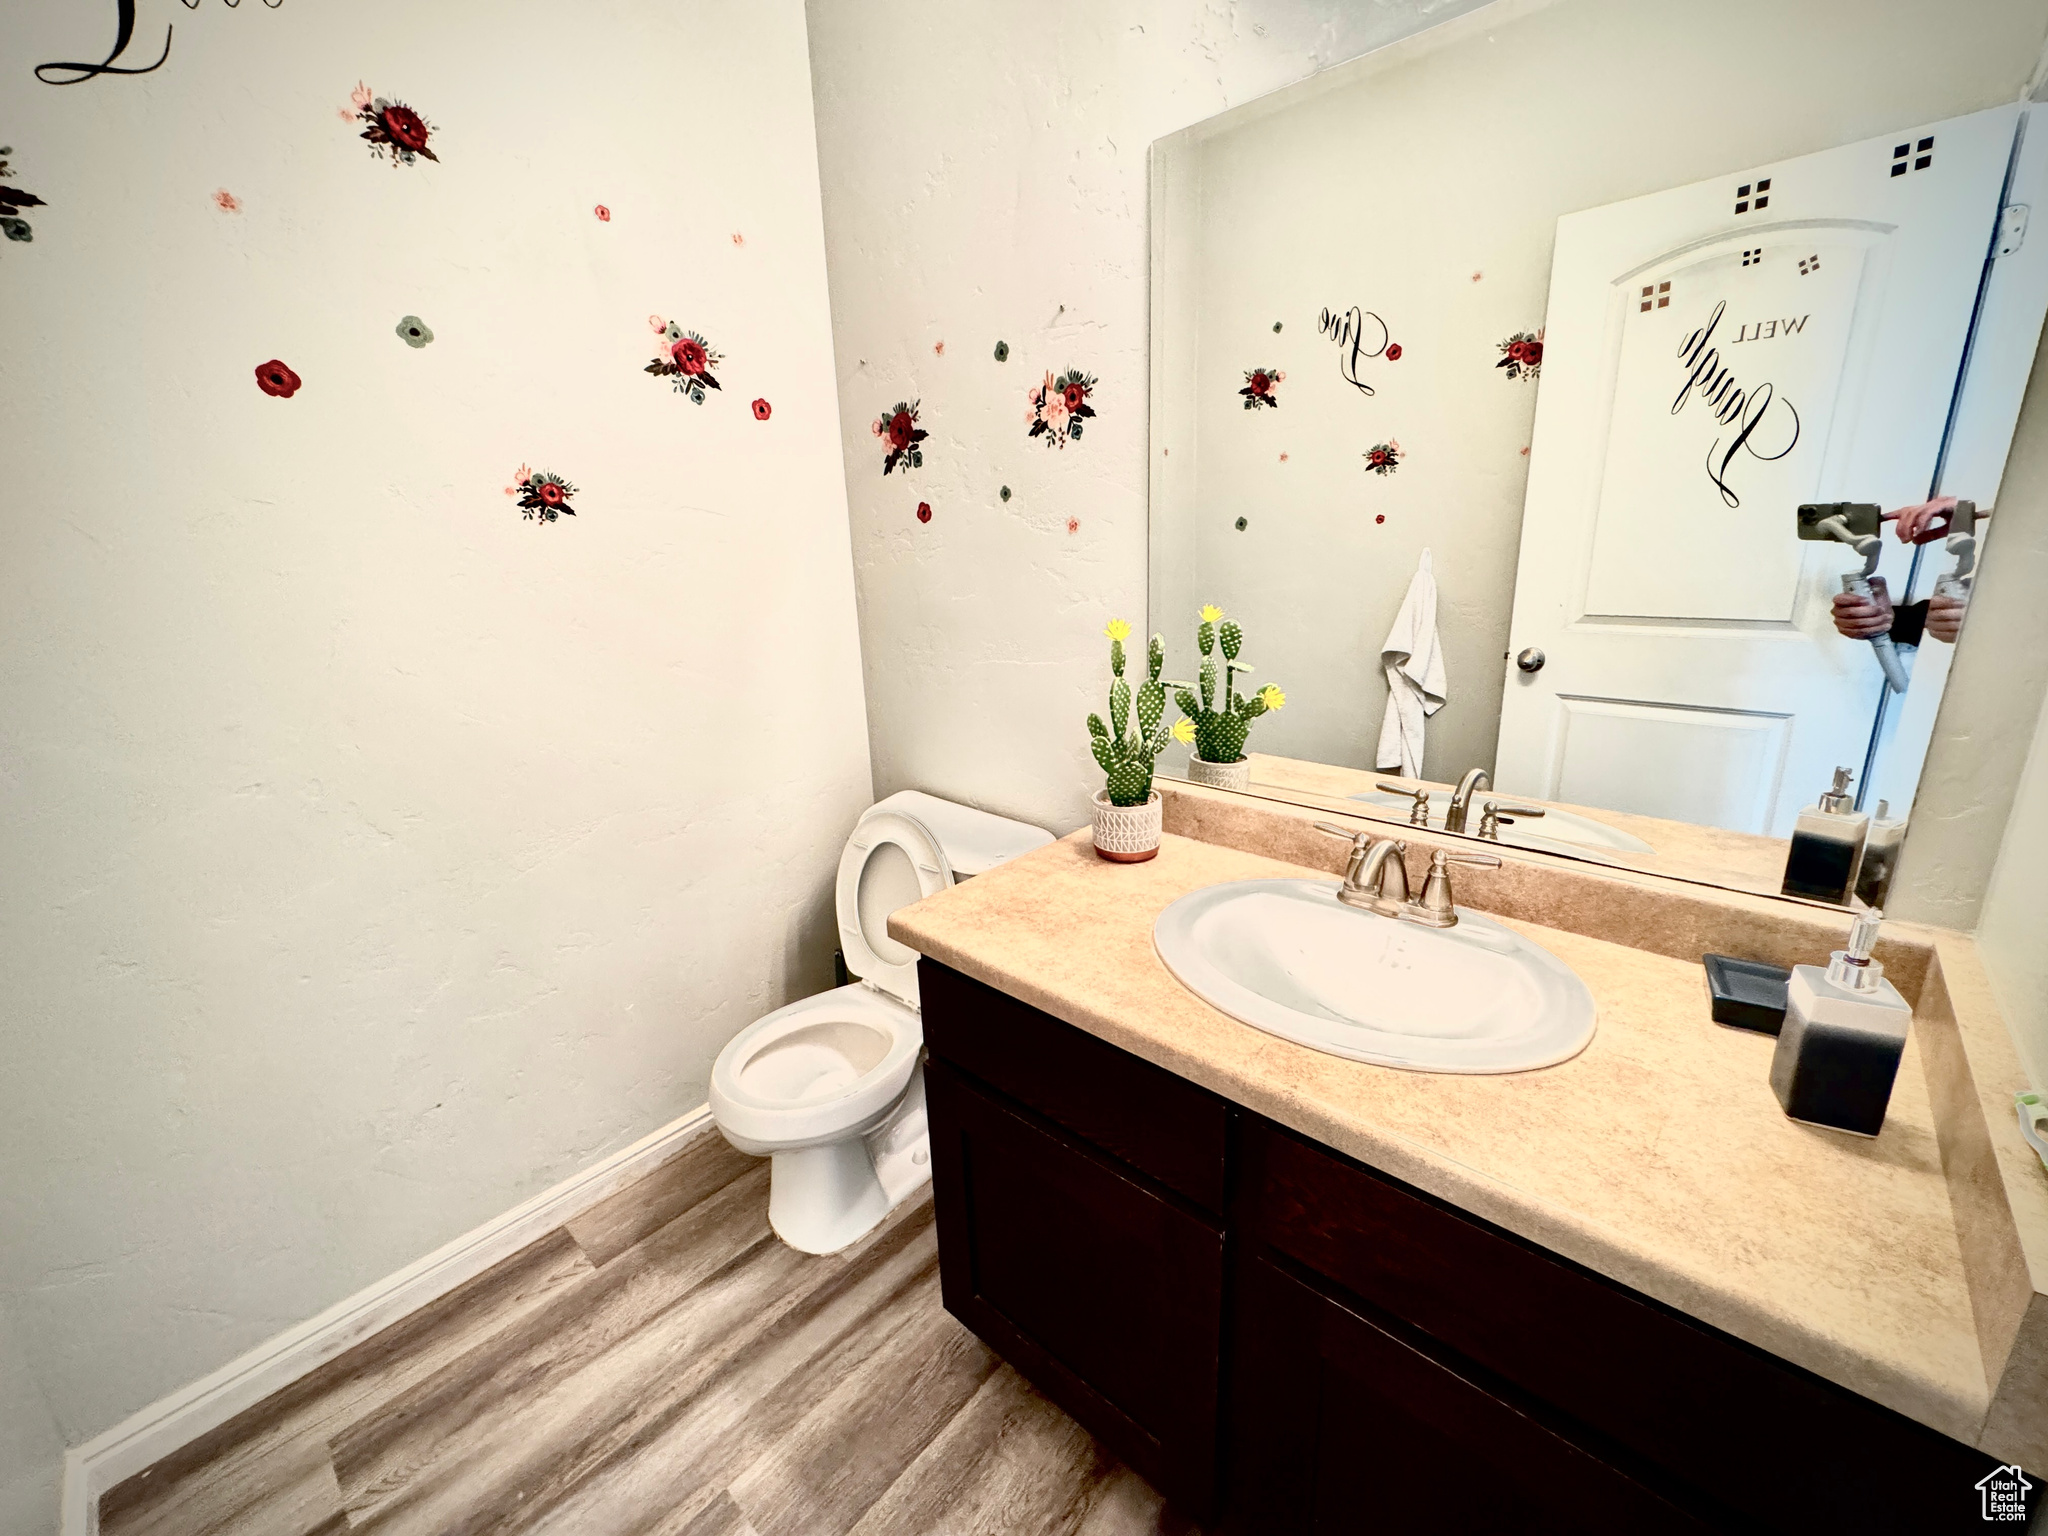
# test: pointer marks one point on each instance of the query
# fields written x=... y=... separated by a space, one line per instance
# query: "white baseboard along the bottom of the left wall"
x=144 y=1439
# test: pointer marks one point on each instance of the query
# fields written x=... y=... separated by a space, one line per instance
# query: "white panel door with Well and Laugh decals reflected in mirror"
x=1717 y=355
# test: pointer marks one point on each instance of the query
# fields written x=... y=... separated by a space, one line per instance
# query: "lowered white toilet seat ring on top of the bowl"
x=822 y=1070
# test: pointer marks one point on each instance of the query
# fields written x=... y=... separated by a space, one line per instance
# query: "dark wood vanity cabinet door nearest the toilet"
x=1097 y=1285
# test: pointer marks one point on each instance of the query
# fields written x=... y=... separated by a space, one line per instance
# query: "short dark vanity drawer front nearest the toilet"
x=1142 y=1115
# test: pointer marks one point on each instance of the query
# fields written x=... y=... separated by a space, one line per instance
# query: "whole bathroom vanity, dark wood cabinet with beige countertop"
x=1306 y=1293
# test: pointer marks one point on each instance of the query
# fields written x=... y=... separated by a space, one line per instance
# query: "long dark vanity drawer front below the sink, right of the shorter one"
x=1777 y=1443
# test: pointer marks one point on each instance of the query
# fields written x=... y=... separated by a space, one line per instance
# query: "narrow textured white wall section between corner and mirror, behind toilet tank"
x=986 y=181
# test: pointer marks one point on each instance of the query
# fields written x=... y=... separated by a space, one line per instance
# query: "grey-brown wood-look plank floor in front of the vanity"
x=660 y=1365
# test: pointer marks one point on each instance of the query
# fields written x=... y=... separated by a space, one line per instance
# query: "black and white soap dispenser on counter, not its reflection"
x=1844 y=1033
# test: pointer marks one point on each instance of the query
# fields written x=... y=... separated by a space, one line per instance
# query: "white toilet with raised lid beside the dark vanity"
x=833 y=1086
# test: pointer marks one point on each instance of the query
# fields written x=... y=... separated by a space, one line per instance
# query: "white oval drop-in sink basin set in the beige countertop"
x=1287 y=957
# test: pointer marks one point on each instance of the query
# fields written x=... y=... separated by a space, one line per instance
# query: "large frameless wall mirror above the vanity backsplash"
x=1590 y=421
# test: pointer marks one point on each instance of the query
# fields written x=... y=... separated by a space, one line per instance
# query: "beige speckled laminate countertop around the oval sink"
x=1658 y=1156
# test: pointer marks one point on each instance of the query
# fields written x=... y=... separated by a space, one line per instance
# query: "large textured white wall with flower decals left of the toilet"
x=374 y=859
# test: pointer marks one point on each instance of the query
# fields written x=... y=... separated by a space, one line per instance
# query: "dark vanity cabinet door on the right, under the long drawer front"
x=1349 y=1424
